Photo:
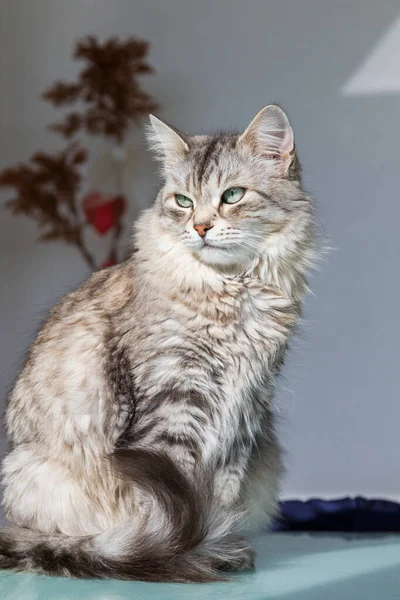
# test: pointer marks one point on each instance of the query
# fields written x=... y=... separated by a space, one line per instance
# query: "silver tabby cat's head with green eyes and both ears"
x=231 y=198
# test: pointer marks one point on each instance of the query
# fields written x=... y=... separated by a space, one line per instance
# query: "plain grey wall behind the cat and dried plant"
x=218 y=63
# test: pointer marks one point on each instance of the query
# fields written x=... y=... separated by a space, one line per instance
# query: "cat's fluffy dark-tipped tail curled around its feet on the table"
x=179 y=536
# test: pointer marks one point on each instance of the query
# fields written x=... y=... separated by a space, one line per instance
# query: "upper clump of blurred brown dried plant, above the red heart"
x=107 y=87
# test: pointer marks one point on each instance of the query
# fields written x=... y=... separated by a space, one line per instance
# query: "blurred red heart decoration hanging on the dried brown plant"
x=103 y=212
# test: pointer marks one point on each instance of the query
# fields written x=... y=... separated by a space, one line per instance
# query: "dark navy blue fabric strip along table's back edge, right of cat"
x=343 y=514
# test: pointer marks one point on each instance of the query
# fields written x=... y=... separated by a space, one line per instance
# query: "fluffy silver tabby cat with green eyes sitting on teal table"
x=142 y=425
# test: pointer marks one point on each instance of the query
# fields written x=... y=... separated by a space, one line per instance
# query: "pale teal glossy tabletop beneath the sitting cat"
x=288 y=567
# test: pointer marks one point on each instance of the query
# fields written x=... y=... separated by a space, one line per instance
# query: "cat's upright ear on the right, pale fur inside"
x=271 y=135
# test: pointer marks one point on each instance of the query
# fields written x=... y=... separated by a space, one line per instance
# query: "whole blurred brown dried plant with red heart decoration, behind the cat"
x=108 y=98
